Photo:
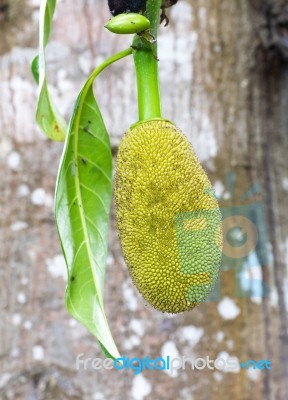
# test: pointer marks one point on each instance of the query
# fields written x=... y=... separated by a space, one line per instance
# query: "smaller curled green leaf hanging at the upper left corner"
x=47 y=115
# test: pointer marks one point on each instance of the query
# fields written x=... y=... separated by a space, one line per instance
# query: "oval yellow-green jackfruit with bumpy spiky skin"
x=168 y=218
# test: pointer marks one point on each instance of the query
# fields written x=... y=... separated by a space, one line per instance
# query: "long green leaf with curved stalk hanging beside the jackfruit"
x=82 y=207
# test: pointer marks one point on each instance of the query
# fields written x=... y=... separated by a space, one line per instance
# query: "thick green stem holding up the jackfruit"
x=146 y=66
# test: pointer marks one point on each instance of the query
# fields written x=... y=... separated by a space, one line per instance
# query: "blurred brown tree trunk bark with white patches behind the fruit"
x=224 y=82
